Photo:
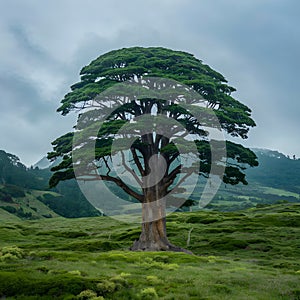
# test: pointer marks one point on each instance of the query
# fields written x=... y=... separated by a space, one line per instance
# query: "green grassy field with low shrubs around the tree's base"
x=252 y=254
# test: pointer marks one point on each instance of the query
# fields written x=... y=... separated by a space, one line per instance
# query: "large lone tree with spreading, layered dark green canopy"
x=157 y=119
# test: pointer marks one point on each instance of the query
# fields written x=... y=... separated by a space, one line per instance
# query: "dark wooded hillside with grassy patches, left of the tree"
x=18 y=184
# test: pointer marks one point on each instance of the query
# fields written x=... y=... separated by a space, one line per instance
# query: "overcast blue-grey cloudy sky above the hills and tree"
x=254 y=44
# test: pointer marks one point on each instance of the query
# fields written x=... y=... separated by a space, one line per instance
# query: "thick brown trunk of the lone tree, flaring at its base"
x=154 y=236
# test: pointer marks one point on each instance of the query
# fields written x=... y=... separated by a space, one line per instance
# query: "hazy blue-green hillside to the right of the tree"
x=275 y=180
